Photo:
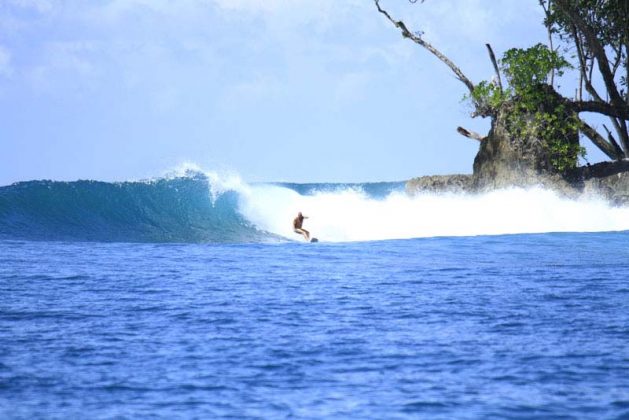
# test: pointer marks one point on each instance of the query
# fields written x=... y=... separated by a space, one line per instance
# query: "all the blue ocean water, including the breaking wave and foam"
x=189 y=296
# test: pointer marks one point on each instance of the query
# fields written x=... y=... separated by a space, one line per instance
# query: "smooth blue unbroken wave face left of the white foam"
x=176 y=209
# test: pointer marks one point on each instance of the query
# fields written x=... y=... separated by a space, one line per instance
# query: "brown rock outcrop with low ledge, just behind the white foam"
x=505 y=160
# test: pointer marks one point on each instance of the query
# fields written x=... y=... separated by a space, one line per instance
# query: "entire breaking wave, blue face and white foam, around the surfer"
x=205 y=207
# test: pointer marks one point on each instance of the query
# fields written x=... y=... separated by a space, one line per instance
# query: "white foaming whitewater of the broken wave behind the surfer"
x=350 y=215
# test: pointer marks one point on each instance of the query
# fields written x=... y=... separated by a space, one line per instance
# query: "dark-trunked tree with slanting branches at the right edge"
x=597 y=32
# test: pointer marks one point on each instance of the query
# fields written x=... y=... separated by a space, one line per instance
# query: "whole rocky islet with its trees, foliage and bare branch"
x=536 y=132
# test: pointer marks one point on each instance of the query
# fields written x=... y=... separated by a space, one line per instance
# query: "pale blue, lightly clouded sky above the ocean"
x=272 y=90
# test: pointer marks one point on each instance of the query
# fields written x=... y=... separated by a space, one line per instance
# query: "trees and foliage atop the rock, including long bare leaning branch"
x=541 y=123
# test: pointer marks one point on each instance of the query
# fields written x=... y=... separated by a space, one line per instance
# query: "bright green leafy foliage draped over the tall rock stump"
x=534 y=115
